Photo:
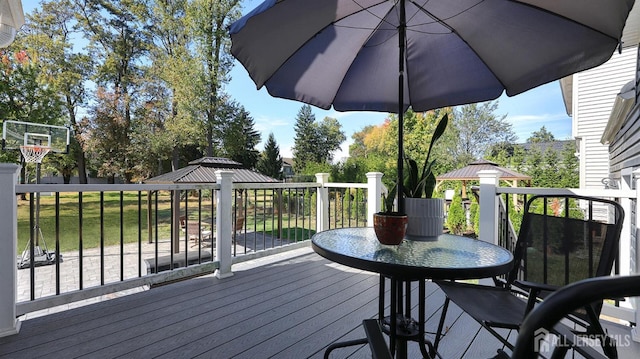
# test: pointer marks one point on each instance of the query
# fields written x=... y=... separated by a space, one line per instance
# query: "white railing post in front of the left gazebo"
x=224 y=218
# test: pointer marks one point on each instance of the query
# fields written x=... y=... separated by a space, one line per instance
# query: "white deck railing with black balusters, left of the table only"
x=11 y=307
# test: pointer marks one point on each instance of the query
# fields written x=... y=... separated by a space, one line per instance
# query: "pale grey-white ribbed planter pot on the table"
x=426 y=218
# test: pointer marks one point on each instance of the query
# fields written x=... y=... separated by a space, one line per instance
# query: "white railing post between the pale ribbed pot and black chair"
x=489 y=180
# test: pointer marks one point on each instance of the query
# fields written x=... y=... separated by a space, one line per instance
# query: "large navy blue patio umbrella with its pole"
x=389 y=55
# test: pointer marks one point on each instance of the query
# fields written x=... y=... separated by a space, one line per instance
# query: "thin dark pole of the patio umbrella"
x=402 y=31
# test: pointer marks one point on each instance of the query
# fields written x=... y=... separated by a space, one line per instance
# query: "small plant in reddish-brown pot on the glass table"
x=389 y=226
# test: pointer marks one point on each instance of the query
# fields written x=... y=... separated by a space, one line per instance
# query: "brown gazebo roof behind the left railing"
x=203 y=171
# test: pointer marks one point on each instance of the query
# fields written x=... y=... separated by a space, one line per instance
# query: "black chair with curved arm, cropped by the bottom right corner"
x=558 y=305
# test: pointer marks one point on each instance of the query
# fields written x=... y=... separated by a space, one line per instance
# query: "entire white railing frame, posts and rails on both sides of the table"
x=489 y=196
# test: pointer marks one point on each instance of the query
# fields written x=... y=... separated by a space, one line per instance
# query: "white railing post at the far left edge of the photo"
x=9 y=325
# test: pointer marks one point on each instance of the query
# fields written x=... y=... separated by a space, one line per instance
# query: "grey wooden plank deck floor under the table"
x=286 y=306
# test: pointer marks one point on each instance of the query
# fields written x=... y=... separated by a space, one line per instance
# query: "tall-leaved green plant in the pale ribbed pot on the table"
x=425 y=214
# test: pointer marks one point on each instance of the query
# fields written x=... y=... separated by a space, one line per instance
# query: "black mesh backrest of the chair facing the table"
x=567 y=238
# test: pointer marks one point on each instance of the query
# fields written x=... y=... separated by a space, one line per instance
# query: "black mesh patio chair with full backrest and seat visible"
x=562 y=239
